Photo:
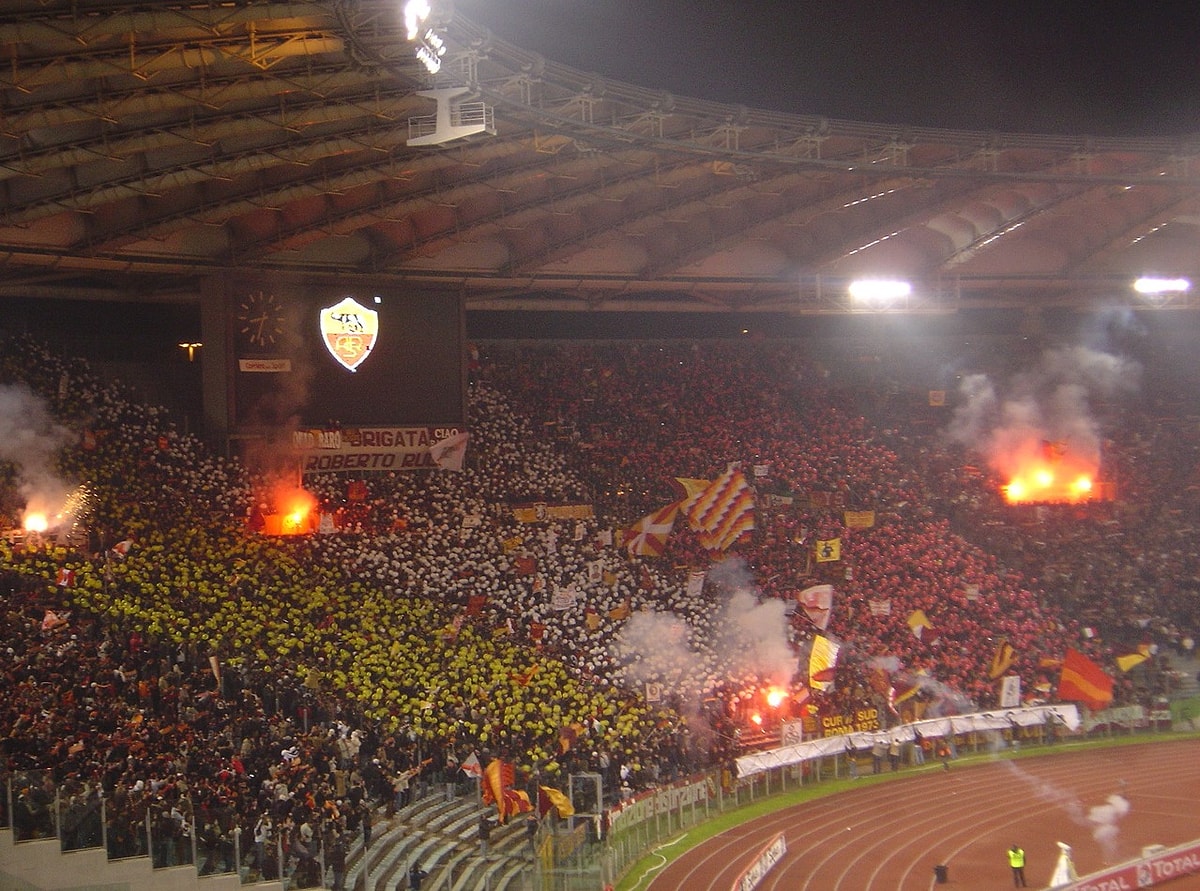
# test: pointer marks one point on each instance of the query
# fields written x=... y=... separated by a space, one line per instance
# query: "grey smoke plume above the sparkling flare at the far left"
x=32 y=440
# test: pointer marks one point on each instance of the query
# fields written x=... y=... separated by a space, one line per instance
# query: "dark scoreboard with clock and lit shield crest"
x=331 y=358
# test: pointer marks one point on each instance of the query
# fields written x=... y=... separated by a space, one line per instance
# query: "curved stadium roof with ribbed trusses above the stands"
x=151 y=145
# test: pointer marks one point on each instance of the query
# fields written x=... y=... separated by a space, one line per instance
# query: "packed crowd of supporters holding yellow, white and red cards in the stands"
x=265 y=693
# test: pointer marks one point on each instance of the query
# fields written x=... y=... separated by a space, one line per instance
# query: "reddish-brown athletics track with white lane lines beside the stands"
x=890 y=836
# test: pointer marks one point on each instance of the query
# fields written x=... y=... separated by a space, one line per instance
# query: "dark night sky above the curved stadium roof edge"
x=1046 y=67
